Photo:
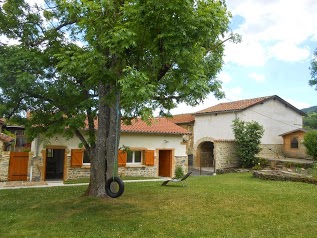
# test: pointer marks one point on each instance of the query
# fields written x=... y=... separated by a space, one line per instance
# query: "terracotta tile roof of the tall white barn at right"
x=244 y=104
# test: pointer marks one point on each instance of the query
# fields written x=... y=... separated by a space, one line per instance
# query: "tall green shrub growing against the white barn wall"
x=248 y=138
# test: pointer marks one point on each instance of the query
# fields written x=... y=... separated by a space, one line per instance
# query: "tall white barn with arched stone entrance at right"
x=213 y=139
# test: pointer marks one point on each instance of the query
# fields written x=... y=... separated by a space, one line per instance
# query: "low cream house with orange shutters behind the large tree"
x=153 y=150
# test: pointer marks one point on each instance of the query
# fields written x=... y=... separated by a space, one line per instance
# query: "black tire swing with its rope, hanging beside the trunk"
x=115 y=186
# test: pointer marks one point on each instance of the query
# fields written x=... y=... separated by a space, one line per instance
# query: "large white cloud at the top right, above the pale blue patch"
x=272 y=29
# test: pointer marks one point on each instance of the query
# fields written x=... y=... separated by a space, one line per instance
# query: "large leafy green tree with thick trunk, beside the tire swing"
x=75 y=61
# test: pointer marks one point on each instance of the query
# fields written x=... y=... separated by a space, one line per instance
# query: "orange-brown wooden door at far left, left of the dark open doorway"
x=18 y=166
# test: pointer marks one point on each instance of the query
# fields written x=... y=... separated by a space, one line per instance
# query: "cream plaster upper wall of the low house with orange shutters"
x=132 y=140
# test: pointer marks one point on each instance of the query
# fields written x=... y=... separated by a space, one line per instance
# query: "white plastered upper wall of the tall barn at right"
x=273 y=115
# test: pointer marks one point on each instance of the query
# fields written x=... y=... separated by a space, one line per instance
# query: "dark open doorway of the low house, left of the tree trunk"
x=54 y=164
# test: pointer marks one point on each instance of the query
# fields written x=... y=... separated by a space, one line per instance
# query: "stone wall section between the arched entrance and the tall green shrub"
x=225 y=154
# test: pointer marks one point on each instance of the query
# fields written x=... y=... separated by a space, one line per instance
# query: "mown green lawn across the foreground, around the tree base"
x=230 y=205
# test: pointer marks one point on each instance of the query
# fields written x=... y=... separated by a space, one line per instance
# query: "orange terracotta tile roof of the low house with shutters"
x=158 y=126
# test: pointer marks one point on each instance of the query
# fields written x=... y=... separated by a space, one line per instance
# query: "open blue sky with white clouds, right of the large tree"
x=278 y=41
